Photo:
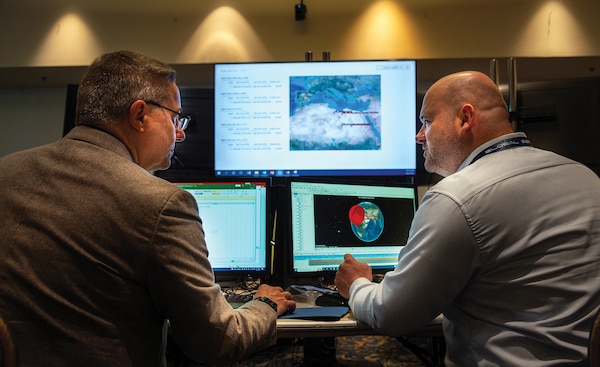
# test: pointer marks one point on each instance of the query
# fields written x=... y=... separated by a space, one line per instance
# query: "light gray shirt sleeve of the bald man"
x=437 y=262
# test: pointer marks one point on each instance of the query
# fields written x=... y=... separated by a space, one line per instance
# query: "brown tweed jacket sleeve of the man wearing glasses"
x=182 y=283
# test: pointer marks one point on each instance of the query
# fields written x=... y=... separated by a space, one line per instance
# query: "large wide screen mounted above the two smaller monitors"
x=293 y=119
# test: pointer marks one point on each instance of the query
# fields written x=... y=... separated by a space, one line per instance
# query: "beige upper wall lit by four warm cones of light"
x=220 y=30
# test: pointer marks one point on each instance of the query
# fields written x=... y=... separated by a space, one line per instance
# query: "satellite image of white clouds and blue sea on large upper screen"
x=343 y=110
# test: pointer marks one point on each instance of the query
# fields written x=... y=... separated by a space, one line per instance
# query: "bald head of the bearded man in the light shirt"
x=460 y=112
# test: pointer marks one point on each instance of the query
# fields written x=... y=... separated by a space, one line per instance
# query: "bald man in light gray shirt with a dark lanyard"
x=506 y=246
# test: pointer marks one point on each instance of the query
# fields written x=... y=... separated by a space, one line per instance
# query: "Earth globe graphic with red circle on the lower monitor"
x=366 y=220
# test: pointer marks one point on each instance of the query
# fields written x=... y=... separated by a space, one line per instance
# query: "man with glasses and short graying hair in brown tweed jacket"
x=96 y=253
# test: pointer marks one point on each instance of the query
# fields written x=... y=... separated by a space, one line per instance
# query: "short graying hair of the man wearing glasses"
x=114 y=81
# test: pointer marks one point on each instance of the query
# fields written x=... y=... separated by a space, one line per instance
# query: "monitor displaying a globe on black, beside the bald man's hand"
x=371 y=221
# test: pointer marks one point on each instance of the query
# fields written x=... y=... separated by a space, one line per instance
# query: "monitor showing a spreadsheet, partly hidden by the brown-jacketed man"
x=235 y=220
